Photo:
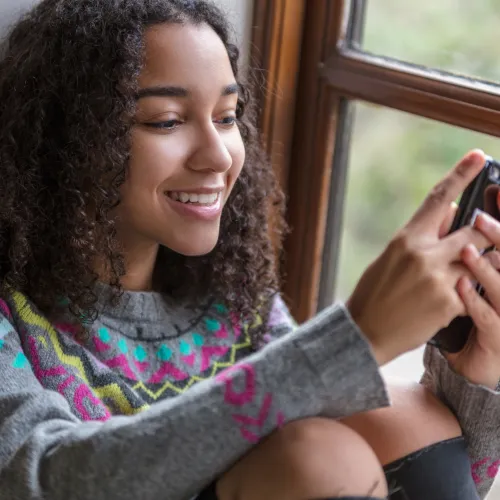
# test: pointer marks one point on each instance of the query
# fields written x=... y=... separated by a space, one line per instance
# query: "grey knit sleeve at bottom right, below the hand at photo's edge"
x=477 y=409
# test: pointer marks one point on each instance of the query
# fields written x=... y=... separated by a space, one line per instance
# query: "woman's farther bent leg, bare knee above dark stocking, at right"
x=418 y=440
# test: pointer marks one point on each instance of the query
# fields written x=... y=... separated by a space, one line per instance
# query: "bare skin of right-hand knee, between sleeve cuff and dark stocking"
x=415 y=420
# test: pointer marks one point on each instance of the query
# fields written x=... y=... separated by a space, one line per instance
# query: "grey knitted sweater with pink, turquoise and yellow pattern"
x=158 y=400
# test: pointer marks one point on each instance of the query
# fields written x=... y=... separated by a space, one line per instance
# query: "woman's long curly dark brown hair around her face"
x=68 y=81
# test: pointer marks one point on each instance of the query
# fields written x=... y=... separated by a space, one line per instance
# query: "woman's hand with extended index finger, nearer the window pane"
x=410 y=291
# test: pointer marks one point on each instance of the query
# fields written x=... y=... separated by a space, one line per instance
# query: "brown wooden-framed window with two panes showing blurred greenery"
x=385 y=99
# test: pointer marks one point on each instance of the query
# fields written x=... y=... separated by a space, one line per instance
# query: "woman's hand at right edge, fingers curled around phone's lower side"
x=479 y=361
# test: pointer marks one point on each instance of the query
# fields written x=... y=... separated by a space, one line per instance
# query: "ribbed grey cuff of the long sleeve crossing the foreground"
x=340 y=355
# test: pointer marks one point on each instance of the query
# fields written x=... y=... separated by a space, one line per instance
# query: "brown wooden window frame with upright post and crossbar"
x=311 y=155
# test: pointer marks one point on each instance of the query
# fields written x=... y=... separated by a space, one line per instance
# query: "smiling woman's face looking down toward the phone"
x=187 y=151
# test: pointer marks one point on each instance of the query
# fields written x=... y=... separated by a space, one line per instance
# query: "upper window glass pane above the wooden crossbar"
x=460 y=36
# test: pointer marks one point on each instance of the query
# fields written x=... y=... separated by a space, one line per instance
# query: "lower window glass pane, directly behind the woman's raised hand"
x=395 y=159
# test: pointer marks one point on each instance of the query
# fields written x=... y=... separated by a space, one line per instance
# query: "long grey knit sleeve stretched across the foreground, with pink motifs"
x=178 y=446
